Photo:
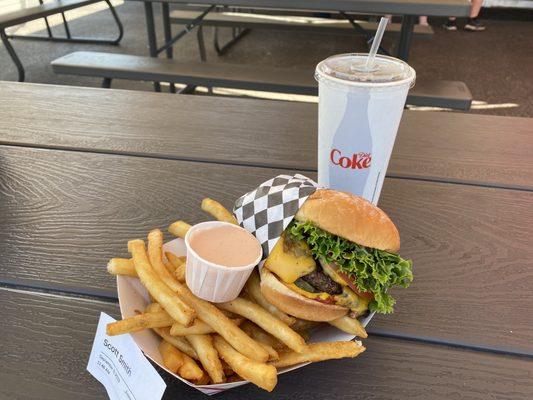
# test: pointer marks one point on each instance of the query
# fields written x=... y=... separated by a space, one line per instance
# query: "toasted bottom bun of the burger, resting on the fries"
x=295 y=304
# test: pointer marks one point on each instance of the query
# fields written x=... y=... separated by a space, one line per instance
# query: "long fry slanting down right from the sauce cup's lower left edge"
x=215 y=318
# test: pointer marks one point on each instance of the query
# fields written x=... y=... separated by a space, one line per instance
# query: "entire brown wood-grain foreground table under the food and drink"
x=84 y=170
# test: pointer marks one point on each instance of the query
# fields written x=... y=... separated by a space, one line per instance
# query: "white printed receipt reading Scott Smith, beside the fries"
x=121 y=367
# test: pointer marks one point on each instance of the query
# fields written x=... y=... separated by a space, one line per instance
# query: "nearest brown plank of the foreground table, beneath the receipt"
x=45 y=357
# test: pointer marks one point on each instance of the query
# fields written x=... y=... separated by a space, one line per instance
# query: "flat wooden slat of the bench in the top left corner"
x=44 y=10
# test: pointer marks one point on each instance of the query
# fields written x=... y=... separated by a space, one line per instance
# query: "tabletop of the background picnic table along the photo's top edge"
x=459 y=8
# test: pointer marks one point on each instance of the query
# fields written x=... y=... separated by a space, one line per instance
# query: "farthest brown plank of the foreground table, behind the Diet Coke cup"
x=474 y=149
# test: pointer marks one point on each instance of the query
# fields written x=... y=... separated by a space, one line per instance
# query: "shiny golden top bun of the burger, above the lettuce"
x=350 y=217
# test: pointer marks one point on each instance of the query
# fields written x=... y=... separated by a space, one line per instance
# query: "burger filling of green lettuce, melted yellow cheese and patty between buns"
x=333 y=270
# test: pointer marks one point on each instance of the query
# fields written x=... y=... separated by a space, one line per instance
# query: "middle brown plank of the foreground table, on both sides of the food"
x=66 y=213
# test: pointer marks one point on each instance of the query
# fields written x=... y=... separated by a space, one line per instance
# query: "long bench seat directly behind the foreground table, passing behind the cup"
x=109 y=66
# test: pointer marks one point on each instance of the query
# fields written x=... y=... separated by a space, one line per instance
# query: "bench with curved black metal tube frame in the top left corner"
x=44 y=10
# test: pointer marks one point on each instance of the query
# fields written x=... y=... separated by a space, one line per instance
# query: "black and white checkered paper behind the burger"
x=267 y=210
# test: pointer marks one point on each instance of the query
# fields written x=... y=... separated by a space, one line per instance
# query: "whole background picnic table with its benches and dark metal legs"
x=450 y=94
